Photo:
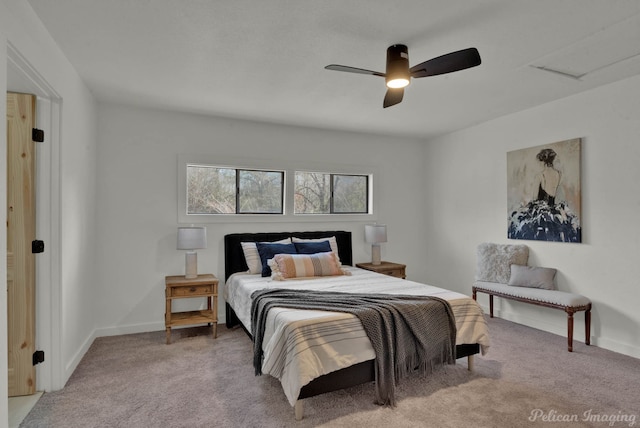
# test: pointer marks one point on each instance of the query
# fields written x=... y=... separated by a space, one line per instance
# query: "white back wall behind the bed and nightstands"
x=137 y=194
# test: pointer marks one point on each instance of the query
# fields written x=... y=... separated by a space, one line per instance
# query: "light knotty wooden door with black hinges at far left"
x=21 y=111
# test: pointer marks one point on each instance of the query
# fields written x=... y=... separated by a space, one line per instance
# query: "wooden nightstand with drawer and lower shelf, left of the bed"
x=179 y=287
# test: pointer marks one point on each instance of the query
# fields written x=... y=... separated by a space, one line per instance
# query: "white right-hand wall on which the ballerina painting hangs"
x=466 y=194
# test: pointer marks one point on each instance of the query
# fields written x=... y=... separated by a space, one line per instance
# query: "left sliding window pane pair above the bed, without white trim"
x=224 y=190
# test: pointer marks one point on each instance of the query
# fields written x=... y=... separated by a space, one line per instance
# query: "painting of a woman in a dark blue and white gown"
x=543 y=192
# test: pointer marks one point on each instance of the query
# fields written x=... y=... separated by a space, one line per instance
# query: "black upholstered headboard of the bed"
x=234 y=257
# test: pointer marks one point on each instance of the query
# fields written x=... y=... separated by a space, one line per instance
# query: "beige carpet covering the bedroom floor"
x=138 y=381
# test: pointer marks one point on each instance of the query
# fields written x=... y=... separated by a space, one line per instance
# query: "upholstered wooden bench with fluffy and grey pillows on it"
x=502 y=271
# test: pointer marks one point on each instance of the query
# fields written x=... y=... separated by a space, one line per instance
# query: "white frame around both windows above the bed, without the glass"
x=289 y=167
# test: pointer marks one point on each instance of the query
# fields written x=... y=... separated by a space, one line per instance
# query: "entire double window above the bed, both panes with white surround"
x=214 y=189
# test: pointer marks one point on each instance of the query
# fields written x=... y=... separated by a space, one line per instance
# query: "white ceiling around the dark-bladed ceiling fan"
x=264 y=59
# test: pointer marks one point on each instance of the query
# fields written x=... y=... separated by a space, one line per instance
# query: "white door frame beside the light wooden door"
x=49 y=338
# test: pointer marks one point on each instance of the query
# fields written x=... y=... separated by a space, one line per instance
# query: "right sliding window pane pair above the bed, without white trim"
x=324 y=193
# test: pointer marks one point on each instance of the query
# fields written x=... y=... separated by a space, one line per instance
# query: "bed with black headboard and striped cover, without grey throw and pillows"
x=343 y=370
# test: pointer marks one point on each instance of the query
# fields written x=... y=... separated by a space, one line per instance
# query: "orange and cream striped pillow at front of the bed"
x=288 y=266
